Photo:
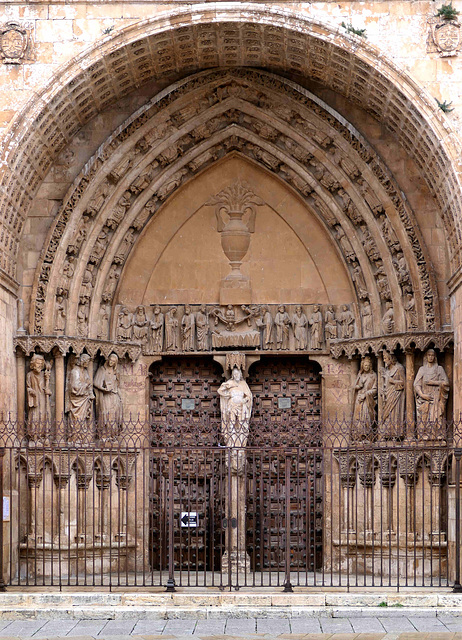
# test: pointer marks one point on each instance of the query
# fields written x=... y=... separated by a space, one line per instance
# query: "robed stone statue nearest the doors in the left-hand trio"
x=108 y=400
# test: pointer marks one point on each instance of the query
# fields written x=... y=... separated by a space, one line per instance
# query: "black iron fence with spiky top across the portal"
x=165 y=504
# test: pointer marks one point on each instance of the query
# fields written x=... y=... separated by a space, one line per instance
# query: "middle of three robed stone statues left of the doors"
x=79 y=393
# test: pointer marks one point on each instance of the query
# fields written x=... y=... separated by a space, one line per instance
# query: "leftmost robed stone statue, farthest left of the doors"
x=38 y=395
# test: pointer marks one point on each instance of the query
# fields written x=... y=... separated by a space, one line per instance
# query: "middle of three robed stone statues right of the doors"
x=393 y=394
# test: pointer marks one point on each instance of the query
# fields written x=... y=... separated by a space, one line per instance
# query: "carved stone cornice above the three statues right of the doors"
x=419 y=340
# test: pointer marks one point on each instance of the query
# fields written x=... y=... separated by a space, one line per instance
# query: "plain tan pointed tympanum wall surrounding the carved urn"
x=179 y=258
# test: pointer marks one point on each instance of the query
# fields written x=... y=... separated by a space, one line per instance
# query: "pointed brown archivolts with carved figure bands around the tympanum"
x=277 y=125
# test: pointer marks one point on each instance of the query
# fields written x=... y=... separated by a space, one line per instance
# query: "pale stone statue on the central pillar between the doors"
x=236 y=408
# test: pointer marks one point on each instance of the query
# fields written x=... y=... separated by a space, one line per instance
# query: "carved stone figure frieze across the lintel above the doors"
x=212 y=327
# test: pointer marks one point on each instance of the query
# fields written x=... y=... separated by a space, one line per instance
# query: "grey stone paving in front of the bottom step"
x=444 y=627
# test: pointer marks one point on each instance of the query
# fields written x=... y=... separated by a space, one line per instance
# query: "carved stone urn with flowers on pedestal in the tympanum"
x=235 y=213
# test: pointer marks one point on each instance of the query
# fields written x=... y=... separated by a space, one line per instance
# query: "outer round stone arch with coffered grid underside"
x=187 y=40
